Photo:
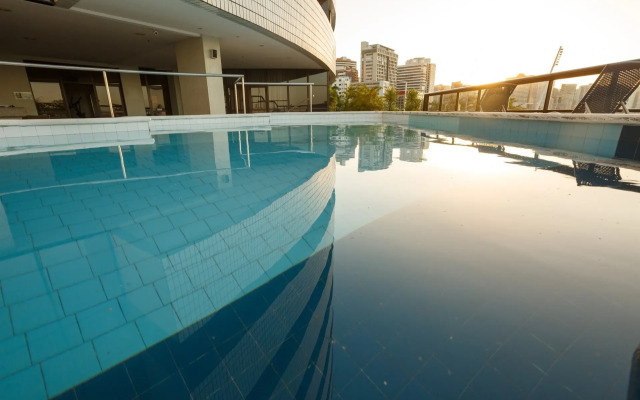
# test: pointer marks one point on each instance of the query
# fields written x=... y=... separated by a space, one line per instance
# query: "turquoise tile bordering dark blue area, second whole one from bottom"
x=118 y=345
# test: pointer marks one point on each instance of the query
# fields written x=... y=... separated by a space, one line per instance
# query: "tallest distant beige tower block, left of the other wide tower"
x=378 y=63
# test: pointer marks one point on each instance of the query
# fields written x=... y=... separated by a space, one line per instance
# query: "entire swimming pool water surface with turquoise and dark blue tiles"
x=367 y=261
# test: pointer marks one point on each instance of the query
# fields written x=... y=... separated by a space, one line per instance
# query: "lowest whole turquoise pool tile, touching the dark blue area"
x=70 y=368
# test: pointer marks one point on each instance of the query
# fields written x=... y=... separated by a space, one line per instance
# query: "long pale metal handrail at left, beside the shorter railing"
x=133 y=71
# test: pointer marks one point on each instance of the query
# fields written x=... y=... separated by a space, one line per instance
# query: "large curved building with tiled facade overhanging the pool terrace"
x=252 y=38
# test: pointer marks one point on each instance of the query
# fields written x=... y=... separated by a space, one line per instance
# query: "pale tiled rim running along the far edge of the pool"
x=593 y=134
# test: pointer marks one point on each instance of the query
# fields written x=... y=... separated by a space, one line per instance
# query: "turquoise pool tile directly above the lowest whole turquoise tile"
x=54 y=338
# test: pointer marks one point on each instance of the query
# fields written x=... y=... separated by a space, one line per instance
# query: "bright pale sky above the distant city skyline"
x=483 y=41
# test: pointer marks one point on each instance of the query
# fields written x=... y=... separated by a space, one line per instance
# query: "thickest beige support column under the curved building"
x=200 y=95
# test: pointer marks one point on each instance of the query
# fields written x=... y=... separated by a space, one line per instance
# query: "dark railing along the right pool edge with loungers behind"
x=554 y=92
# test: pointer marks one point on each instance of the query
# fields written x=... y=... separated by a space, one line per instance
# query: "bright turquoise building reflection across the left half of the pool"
x=191 y=230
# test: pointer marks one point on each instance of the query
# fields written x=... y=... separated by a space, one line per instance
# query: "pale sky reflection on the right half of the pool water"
x=486 y=275
